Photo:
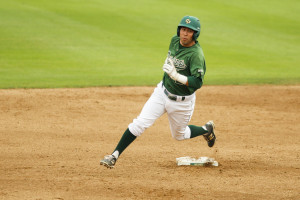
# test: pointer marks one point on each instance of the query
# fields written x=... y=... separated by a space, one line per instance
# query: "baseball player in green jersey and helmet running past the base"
x=184 y=71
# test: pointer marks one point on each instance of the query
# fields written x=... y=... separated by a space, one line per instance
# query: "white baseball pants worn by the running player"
x=179 y=113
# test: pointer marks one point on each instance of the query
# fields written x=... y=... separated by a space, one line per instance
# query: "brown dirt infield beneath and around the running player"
x=53 y=139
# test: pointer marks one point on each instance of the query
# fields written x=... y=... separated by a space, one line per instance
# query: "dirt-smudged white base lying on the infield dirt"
x=201 y=161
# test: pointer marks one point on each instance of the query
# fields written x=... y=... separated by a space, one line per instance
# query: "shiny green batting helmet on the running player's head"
x=192 y=23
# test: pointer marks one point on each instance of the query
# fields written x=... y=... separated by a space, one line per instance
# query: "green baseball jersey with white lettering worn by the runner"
x=190 y=62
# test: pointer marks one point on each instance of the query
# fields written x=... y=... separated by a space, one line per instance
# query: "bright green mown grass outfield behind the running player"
x=71 y=43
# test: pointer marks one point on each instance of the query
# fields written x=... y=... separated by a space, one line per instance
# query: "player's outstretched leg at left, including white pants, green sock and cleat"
x=151 y=111
